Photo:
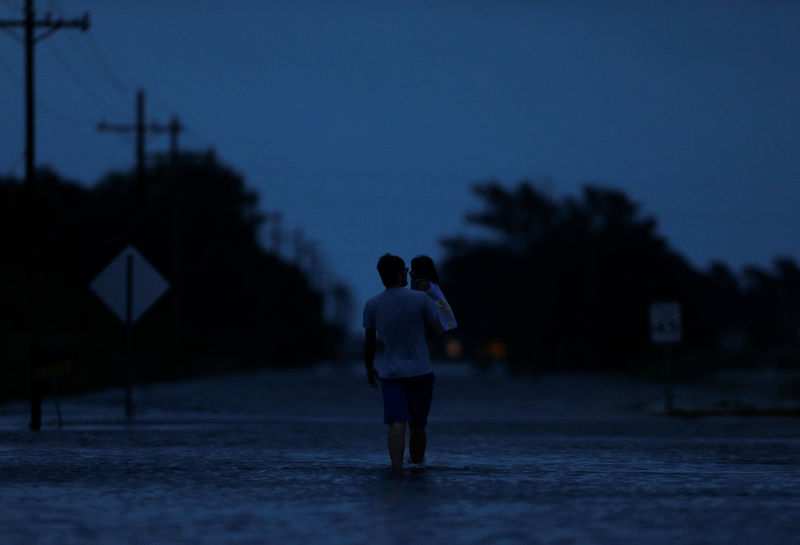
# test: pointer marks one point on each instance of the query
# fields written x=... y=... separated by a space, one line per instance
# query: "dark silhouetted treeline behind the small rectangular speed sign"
x=567 y=285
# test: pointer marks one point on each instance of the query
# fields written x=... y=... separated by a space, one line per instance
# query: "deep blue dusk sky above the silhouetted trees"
x=366 y=122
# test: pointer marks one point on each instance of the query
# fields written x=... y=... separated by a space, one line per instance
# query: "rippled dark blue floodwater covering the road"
x=300 y=457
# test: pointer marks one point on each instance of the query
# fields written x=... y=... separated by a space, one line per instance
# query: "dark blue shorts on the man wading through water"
x=407 y=399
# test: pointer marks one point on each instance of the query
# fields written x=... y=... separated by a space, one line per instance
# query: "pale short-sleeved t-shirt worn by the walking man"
x=399 y=316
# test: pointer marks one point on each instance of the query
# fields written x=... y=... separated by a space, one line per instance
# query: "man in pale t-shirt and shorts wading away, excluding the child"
x=404 y=319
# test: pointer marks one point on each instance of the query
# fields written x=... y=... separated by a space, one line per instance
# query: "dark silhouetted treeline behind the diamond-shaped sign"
x=230 y=305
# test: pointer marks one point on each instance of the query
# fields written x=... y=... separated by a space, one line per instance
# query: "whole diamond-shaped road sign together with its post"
x=129 y=286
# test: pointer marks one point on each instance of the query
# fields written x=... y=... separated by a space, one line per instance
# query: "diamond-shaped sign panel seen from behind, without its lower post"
x=146 y=284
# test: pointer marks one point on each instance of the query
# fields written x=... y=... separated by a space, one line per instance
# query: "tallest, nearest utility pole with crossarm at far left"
x=50 y=25
